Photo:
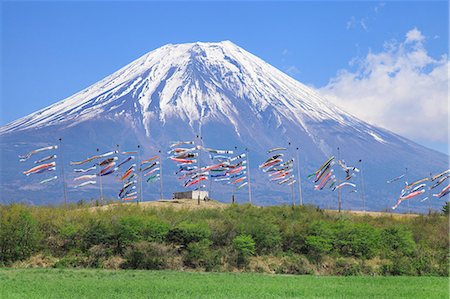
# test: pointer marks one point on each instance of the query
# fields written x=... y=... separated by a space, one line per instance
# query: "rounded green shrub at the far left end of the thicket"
x=19 y=235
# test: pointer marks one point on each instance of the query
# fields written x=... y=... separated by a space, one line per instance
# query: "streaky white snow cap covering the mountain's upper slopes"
x=190 y=81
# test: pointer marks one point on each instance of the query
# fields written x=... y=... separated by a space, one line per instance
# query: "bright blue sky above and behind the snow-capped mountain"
x=51 y=50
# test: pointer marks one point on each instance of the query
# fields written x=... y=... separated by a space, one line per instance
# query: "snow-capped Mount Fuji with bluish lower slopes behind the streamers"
x=231 y=99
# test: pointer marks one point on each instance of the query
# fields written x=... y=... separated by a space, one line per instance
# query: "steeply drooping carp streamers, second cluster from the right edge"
x=325 y=176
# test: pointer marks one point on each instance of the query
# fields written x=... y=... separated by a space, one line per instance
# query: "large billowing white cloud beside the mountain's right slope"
x=401 y=88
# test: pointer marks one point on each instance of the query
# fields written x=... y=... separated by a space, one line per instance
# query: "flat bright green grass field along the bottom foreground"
x=56 y=283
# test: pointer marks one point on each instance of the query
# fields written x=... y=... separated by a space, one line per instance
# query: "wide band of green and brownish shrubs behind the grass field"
x=303 y=240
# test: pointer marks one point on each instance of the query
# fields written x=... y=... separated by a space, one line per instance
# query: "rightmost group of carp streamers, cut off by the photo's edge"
x=419 y=187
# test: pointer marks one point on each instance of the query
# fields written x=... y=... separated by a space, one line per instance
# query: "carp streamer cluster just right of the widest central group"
x=279 y=171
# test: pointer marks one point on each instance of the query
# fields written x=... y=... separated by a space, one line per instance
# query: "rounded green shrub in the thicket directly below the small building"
x=185 y=233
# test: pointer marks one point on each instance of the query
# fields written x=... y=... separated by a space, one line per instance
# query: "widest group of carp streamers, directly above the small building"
x=224 y=167
